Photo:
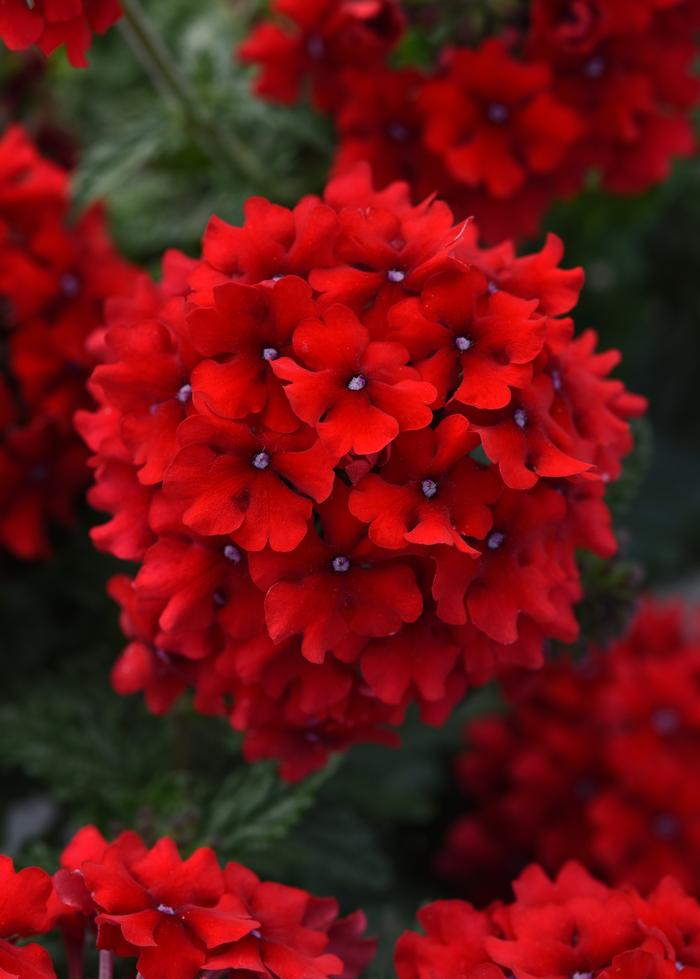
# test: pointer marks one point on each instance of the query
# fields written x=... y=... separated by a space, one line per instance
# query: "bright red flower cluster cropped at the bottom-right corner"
x=572 y=927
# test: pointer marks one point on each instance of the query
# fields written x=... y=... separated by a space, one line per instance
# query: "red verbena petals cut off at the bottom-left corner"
x=24 y=898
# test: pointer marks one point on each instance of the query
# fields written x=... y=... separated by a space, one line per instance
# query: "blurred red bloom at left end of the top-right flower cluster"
x=316 y=39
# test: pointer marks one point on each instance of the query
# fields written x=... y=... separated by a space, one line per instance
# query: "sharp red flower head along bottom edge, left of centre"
x=178 y=917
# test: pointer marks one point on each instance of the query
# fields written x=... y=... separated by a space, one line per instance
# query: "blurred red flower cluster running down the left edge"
x=54 y=278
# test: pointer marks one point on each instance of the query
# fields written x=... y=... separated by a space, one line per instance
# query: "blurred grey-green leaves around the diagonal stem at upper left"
x=141 y=152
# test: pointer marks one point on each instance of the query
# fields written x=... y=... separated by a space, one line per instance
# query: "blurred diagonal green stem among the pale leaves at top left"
x=225 y=147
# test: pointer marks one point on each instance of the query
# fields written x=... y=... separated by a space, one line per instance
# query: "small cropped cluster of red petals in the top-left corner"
x=48 y=24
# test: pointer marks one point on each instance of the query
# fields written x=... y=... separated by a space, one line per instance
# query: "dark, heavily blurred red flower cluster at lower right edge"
x=596 y=762
